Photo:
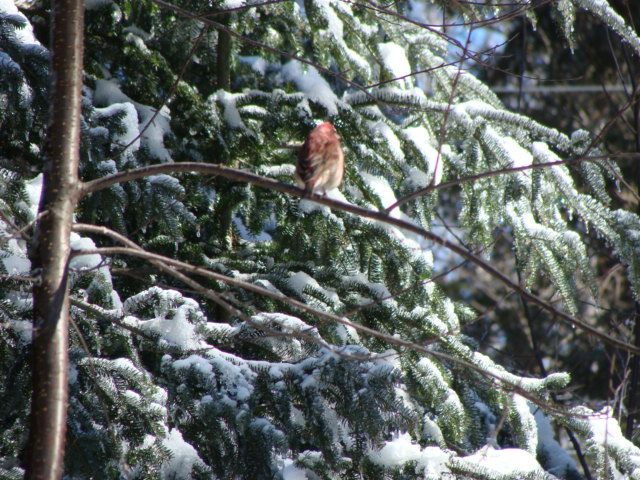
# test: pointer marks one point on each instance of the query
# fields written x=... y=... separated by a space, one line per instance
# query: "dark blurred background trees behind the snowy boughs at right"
x=592 y=74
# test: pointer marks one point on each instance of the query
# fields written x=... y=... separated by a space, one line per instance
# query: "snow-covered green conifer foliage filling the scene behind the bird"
x=311 y=343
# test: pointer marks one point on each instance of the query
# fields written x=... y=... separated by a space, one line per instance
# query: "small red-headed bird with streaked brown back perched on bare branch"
x=320 y=161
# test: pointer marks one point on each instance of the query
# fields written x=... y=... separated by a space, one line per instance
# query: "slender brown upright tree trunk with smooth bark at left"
x=50 y=248
